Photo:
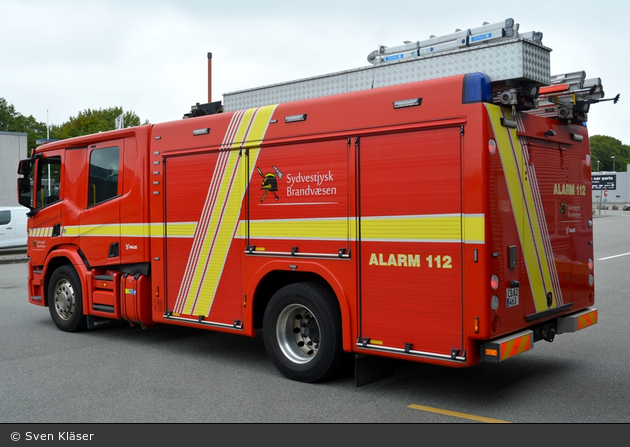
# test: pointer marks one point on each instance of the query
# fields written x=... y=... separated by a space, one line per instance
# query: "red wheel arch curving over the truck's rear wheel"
x=275 y=275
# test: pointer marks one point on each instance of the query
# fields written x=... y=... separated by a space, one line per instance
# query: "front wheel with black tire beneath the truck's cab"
x=65 y=300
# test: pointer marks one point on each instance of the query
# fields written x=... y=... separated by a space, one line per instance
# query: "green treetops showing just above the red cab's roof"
x=93 y=121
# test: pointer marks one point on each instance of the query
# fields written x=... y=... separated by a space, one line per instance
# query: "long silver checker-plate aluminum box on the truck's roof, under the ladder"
x=504 y=60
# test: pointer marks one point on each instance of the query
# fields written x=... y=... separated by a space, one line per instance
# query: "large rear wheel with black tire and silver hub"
x=302 y=332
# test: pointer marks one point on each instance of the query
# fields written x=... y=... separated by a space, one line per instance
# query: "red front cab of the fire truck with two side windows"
x=87 y=220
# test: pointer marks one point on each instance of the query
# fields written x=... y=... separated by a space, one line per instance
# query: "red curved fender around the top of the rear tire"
x=311 y=267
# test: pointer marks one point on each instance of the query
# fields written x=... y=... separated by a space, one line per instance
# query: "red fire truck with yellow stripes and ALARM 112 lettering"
x=444 y=218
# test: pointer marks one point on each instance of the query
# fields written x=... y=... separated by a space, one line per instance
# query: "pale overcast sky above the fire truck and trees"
x=60 y=57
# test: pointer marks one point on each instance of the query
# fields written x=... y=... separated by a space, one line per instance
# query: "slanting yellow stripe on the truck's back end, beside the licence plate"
x=524 y=208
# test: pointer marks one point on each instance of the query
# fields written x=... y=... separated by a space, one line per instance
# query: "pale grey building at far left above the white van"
x=13 y=148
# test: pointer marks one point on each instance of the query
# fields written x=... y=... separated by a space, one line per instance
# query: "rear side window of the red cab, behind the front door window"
x=104 y=165
